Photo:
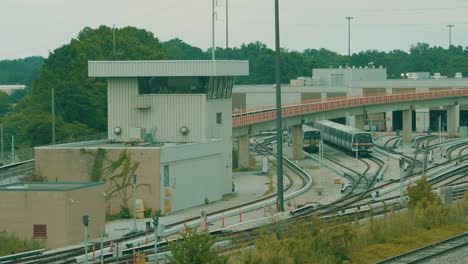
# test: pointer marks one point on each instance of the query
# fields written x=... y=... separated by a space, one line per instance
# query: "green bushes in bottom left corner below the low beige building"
x=10 y=243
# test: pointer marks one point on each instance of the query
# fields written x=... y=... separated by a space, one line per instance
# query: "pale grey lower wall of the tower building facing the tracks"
x=193 y=172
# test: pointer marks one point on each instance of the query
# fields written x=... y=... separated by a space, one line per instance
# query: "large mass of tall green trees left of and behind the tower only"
x=81 y=103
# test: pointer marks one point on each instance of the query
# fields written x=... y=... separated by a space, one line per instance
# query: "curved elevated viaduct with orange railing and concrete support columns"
x=251 y=121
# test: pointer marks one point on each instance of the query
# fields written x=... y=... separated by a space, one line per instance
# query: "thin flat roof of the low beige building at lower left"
x=47 y=186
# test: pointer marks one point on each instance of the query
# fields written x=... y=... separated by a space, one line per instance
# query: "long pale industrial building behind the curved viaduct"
x=352 y=81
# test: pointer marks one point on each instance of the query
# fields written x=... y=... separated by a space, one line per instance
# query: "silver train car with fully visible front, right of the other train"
x=347 y=137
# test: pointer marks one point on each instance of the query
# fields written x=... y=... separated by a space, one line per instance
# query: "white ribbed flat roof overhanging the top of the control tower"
x=168 y=68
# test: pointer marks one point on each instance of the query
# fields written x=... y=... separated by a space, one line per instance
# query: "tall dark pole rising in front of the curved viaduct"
x=279 y=130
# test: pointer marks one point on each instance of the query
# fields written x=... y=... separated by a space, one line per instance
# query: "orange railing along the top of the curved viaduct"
x=263 y=114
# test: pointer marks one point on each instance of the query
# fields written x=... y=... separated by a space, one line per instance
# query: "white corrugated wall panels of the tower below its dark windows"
x=167 y=113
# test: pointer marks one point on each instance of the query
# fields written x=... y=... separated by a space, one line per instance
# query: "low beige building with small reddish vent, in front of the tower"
x=52 y=212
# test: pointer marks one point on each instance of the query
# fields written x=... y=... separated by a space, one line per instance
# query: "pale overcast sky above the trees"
x=35 y=27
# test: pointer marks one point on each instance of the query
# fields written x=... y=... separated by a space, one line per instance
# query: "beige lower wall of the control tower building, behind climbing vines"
x=72 y=164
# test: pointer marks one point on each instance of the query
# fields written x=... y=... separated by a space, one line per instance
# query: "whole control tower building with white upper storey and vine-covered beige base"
x=169 y=122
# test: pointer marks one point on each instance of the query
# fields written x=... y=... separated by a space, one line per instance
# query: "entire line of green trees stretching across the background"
x=81 y=103
